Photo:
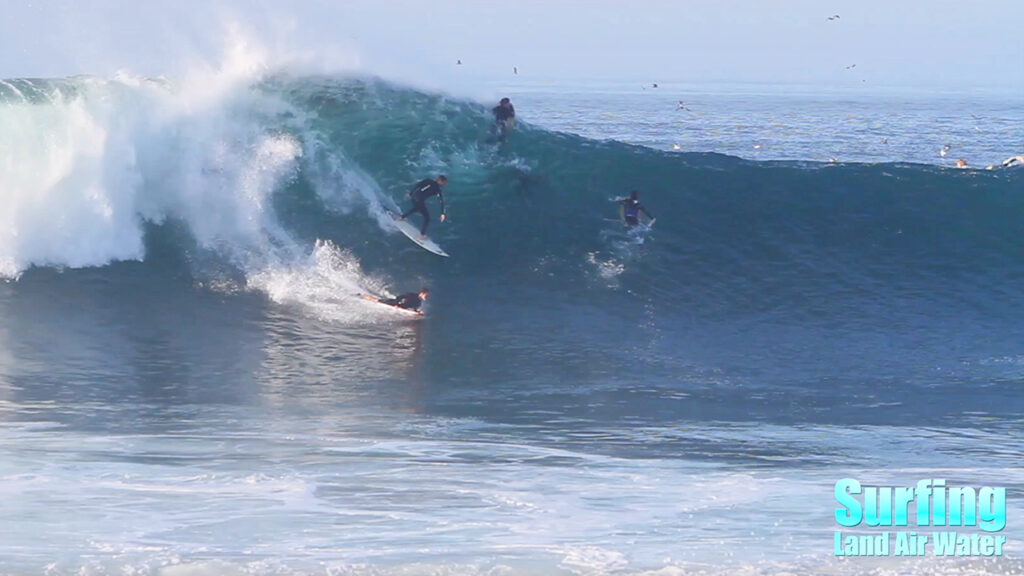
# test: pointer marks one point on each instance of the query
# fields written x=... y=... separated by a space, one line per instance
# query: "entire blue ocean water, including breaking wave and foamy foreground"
x=190 y=385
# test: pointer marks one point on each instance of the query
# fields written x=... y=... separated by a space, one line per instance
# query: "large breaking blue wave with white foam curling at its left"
x=245 y=176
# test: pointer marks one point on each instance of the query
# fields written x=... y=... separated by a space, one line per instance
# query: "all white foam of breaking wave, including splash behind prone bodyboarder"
x=83 y=171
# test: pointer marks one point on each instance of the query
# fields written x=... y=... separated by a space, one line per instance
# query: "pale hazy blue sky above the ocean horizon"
x=958 y=46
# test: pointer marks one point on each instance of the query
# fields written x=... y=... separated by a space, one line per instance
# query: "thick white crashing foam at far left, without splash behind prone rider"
x=81 y=172
